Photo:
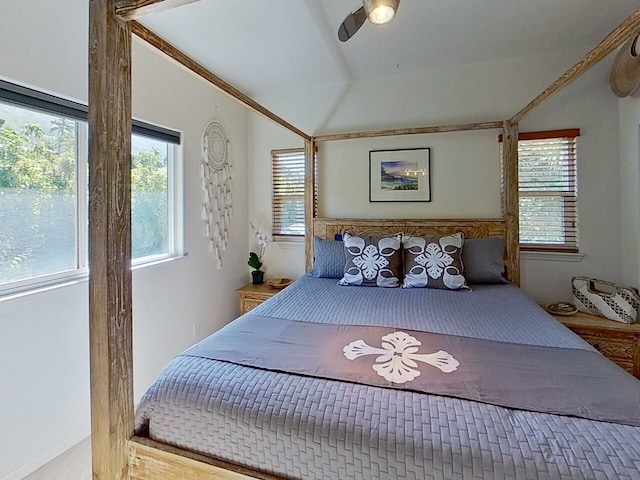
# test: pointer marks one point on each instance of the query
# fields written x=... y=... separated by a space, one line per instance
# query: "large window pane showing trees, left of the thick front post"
x=38 y=195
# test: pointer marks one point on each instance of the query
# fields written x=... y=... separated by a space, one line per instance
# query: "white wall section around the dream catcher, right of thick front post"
x=178 y=303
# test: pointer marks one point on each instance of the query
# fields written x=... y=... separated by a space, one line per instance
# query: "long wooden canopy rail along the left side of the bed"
x=168 y=49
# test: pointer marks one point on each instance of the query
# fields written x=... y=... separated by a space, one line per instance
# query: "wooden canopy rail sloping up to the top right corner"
x=630 y=26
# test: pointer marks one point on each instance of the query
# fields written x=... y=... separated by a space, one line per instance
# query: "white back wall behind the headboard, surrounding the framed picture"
x=465 y=166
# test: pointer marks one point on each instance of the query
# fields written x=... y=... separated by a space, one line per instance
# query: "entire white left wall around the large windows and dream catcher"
x=44 y=354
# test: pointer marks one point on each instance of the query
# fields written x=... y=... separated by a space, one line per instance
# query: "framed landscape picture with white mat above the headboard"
x=402 y=175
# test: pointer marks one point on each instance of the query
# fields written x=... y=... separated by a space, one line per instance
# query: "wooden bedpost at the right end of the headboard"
x=510 y=200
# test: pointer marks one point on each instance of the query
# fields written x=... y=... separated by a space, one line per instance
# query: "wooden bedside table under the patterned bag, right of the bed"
x=616 y=341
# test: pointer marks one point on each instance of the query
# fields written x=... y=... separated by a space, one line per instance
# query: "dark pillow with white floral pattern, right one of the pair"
x=434 y=262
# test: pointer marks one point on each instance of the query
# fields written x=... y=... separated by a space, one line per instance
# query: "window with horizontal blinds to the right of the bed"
x=548 y=190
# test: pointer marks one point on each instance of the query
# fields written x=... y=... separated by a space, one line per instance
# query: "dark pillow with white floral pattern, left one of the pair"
x=372 y=261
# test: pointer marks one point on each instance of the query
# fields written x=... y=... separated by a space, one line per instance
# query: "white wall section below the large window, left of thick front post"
x=44 y=373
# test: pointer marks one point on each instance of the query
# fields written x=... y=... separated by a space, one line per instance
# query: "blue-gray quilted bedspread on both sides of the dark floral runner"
x=302 y=427
